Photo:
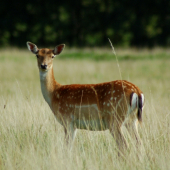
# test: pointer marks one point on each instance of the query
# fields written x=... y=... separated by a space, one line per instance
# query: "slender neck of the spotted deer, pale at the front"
x=48 y=84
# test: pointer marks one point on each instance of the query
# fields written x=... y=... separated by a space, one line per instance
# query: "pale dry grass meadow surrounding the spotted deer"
x=31 y=138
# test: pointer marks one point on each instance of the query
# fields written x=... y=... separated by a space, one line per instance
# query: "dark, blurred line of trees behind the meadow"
x=85 y=23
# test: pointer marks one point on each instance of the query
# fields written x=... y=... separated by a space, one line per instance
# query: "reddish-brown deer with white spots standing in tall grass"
x=93 y=107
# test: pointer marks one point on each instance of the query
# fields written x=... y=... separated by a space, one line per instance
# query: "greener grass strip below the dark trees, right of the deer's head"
x=124 y=54
